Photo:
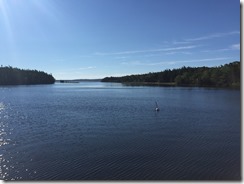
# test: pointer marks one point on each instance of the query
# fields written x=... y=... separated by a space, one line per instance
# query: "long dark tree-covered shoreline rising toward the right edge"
x=227 y=75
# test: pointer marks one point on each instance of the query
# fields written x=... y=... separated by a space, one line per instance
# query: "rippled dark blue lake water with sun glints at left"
x=105 y=131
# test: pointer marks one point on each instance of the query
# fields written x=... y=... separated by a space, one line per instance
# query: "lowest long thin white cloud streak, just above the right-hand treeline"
x=139 y=63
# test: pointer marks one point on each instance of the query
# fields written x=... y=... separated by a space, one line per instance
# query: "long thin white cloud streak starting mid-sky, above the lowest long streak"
x=147 y=51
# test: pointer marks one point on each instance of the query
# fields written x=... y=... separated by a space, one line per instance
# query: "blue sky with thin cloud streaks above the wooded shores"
x=74 y=39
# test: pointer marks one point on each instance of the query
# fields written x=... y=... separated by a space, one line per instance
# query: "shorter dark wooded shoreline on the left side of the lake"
x=15 y=76
